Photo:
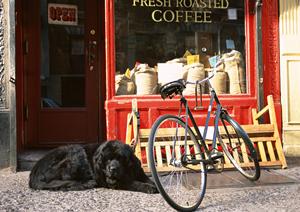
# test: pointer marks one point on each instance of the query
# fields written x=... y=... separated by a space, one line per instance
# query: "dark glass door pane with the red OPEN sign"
x=62 y=54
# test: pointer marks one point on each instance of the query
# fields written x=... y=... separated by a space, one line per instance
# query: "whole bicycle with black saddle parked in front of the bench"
x=189 y=157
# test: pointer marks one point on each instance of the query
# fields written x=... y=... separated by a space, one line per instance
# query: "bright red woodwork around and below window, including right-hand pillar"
x=240 y=106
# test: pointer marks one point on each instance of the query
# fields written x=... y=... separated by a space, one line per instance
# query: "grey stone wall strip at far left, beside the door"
x=7 y=89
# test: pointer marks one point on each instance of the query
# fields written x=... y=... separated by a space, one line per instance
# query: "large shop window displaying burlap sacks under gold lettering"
x=157 y=41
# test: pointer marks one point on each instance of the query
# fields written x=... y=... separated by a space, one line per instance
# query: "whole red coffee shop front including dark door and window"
x=66 y=69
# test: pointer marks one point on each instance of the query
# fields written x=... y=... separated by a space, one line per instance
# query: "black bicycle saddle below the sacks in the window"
x=171 y=89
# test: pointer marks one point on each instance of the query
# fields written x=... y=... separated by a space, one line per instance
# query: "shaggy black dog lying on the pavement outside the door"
x=111 y=164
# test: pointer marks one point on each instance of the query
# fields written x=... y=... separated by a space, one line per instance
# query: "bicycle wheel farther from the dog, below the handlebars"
x=238 y=148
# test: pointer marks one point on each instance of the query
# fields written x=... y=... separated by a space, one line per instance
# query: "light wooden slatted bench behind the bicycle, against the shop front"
x=265 y=137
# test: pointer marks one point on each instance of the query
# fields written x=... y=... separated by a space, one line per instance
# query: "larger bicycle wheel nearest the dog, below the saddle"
x=176 y=163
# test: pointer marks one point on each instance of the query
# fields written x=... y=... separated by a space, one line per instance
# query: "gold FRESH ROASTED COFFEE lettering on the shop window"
x=195 y=11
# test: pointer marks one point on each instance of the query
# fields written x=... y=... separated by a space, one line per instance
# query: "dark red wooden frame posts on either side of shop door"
x=20 y=72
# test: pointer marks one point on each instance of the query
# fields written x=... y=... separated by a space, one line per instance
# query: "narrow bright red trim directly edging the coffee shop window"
x=110 y=54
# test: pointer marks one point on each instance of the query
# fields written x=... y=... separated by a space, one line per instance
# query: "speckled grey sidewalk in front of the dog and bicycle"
x=277 y=190
